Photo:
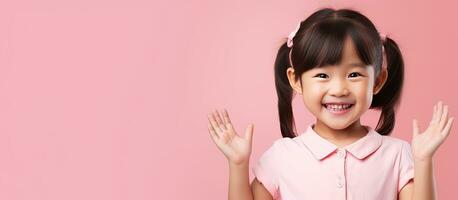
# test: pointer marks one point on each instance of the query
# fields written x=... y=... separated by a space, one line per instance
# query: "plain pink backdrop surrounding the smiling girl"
x=109 y=99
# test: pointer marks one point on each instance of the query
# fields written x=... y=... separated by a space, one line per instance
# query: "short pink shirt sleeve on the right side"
x=406 y=165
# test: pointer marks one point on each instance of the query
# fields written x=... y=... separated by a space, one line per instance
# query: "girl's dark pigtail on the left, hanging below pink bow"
x=284 y=92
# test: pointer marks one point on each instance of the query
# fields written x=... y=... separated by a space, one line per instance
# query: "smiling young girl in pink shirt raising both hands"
x=335 y=61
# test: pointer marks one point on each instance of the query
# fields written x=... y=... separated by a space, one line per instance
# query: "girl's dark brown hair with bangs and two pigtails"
x=319 y=42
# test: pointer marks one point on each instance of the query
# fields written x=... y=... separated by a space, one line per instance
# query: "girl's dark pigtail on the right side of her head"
x=388 y=99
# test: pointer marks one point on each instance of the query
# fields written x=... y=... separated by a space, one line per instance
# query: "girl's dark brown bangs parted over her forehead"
x=323 y=44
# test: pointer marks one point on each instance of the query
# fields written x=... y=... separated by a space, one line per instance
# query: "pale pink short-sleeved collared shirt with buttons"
x=375 y=167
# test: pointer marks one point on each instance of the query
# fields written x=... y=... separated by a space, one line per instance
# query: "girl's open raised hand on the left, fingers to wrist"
x=236 y=149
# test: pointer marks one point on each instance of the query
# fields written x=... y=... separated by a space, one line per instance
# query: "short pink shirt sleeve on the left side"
x=265 y=169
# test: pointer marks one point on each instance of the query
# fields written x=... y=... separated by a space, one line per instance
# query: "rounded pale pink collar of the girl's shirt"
x=321 y=147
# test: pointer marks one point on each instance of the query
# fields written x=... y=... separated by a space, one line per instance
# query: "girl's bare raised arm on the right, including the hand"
x=424 y=146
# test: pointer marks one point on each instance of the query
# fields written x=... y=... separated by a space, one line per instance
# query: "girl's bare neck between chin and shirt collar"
x=340 y=137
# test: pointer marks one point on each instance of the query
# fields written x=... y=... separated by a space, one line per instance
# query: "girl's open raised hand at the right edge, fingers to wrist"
x=425 y=144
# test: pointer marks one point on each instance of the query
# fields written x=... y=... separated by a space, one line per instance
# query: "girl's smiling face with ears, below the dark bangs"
x=338 y=95
